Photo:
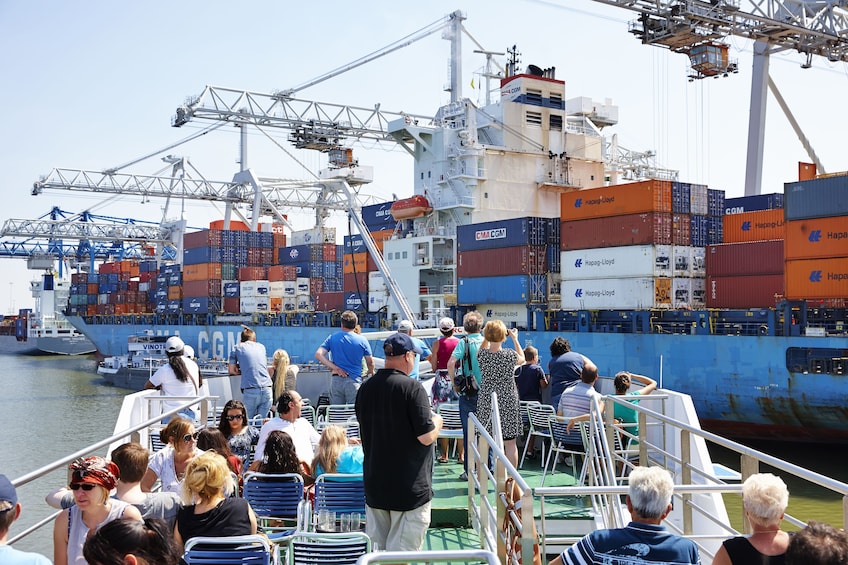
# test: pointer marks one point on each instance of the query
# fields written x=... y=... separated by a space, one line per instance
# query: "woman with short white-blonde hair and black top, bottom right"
x=764 y=498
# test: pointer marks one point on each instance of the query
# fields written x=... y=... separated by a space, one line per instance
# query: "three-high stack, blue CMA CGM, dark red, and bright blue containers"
x=504 y=262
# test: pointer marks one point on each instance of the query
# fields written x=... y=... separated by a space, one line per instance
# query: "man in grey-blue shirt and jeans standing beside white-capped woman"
x=250 y=360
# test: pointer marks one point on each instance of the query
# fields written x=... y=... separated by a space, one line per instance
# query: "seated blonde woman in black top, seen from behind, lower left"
x=208 y=511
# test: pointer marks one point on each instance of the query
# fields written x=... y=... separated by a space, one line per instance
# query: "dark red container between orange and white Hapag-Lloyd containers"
x=616 y=231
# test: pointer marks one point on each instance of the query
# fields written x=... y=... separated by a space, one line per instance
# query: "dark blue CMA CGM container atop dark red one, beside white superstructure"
x=514 y=232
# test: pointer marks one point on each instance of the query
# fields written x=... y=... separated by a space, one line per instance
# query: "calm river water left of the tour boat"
x=51 y=407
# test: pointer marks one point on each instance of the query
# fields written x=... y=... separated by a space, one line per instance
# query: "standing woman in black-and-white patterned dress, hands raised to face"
x=497 y=366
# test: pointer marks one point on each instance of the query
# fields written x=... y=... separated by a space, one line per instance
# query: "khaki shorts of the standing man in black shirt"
x=393 y=530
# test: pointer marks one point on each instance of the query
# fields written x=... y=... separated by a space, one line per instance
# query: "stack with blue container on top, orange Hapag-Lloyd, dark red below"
x=746 y=270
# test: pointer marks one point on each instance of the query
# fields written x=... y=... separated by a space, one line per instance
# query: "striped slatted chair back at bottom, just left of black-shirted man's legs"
x=314 y=548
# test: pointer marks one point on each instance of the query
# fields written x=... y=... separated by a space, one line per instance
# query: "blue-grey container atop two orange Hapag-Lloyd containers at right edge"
x=817 y=239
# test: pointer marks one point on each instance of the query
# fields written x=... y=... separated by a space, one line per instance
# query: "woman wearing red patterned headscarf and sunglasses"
x=92 y=479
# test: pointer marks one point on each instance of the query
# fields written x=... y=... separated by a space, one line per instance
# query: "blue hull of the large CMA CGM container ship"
x=740 y=385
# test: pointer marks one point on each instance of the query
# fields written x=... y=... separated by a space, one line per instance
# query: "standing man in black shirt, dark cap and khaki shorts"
x=397 y=429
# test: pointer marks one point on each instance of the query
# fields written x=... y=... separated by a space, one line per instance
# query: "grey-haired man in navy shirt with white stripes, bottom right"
x=643 y=540
